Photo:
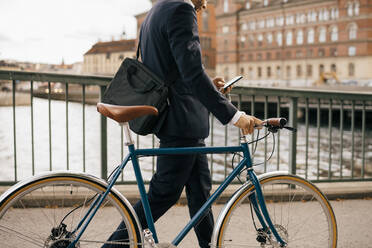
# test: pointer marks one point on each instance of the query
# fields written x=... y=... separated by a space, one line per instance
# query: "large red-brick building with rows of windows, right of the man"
x=294 y=42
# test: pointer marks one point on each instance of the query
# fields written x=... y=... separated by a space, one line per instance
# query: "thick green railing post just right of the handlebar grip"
x=292 y=135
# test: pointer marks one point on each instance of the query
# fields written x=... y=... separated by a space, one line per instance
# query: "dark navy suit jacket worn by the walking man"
x=169 y=40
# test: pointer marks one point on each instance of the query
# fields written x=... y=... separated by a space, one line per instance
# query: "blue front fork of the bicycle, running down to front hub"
x=260 y=209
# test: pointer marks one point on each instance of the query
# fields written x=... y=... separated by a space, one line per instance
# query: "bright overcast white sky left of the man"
x=47 y=31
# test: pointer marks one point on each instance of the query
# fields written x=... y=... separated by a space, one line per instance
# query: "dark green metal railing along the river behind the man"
x=332 y=142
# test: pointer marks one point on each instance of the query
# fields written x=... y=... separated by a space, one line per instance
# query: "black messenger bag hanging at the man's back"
x=135 y=84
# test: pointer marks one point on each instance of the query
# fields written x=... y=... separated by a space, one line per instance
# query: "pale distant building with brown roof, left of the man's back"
x=105 y=58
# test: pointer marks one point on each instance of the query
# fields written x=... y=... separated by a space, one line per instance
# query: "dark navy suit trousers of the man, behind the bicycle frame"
x=173 y=174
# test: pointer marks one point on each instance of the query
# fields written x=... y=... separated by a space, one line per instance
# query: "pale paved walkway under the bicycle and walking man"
x=354 y=216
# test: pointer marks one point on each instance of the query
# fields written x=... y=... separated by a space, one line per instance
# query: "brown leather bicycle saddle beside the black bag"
x=125 y=113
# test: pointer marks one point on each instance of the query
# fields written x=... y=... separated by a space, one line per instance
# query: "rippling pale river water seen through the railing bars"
x=92 y=145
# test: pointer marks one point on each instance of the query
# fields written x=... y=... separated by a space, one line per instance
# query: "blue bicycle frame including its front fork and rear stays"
x=256 y=199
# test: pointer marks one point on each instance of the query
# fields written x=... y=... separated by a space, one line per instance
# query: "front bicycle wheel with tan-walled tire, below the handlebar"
x=300 y=212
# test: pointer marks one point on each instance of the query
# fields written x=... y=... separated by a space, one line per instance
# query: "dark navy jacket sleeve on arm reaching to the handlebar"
x=183 y=37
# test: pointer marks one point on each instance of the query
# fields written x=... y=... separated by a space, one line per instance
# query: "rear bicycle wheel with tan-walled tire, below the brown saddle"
x=30 y=210
